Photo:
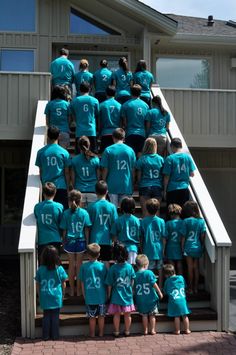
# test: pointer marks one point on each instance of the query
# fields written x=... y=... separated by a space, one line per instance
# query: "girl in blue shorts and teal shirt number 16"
x=75 y=224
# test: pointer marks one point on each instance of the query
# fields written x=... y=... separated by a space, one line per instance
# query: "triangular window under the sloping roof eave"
x=82 y=24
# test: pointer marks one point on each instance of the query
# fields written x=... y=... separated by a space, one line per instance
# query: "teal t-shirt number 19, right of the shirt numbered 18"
x=153 y=232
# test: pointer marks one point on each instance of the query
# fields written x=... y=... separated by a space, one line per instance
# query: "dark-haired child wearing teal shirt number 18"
x=126 y=229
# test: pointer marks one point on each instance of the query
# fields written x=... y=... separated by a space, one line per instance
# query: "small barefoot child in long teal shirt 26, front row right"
x=174 y=288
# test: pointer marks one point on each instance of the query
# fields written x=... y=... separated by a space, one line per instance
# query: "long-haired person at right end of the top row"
x=145 y=79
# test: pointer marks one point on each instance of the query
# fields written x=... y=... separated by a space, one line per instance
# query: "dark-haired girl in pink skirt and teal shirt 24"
x=120 y=280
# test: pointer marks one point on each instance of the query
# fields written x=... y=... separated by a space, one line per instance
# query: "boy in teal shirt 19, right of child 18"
x=153 y=234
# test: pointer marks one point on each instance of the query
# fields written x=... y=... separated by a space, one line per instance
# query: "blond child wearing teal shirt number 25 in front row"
x=147 y=294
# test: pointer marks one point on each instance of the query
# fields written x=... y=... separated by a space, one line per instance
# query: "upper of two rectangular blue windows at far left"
x=18 y=15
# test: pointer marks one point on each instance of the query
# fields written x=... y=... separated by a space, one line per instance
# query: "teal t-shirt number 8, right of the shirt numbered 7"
x=135 y=112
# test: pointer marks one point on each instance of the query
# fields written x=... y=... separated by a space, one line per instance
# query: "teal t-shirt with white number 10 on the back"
x=52 y=159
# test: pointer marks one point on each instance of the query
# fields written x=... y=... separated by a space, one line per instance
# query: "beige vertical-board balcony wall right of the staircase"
x=205 y=117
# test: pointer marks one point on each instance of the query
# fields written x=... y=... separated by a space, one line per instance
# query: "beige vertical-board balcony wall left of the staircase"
x=19 y=95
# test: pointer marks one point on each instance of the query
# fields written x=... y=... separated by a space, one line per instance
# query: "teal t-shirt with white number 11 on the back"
x=85 y=172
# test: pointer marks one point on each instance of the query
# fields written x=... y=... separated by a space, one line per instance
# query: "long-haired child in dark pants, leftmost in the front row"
x=50 y=278
